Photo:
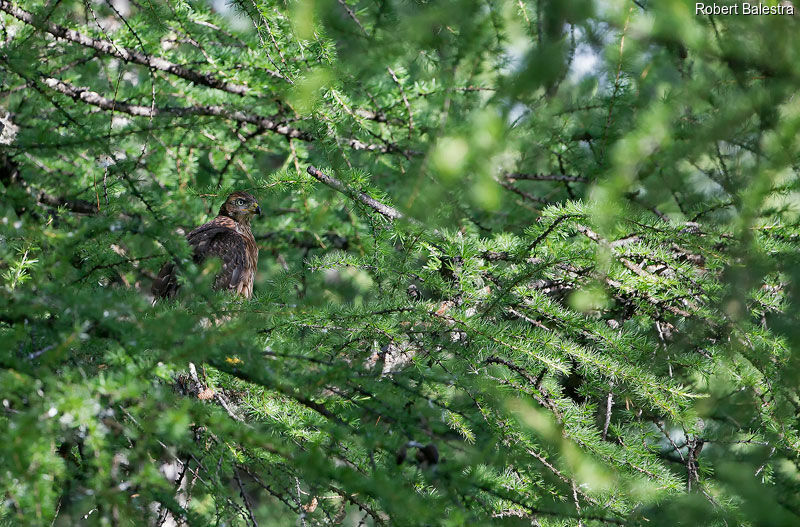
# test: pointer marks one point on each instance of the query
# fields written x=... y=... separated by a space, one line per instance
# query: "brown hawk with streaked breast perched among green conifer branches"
x=227 y=237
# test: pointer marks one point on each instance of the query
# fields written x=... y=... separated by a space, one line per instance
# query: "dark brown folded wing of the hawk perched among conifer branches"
x=220 y=238
